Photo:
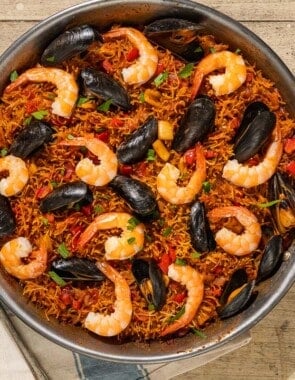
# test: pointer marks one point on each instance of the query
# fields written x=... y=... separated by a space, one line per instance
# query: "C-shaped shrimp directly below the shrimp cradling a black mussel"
x=237 y=244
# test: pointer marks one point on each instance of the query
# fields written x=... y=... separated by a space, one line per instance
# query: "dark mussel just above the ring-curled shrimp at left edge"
x=32 y=137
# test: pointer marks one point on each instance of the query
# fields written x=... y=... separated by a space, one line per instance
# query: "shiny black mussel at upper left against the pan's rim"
x=68 y=44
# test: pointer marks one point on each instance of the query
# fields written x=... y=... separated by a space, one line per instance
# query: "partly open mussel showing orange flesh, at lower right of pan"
x=237 y=294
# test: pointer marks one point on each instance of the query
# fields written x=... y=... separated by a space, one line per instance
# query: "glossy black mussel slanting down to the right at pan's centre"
x=137 y=195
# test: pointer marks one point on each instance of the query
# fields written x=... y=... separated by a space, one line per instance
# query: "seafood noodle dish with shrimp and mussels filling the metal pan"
x=147 y=180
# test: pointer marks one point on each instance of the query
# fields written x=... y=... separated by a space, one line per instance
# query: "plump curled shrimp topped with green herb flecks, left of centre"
x=116 y=248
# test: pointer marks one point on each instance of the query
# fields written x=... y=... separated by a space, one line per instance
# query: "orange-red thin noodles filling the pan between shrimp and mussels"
x=54 y=165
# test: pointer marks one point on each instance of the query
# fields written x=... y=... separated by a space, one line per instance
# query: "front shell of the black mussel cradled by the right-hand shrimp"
x=255 y=136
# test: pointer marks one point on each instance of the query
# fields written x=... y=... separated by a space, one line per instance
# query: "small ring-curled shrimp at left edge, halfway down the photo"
x=17 y=178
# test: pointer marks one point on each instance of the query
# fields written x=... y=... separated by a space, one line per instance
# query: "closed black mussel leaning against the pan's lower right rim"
x=271 y=258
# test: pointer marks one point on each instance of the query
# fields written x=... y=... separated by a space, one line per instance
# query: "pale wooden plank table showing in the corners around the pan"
x=271 y=353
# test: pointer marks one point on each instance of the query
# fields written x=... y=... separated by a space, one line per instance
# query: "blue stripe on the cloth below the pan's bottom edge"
x=93 y=369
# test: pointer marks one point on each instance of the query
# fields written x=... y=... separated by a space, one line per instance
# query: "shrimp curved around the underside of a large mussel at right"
x=250 y=176
